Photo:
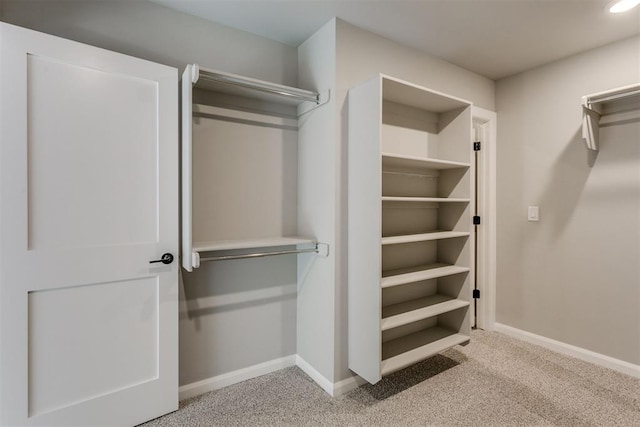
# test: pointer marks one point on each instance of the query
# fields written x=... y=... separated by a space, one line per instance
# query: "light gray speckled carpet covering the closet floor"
x=495 y=380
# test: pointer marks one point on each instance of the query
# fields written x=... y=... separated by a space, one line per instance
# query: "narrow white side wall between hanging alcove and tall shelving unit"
x=317 y=204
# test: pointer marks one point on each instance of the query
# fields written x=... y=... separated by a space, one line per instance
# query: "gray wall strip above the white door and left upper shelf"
x=150 y=31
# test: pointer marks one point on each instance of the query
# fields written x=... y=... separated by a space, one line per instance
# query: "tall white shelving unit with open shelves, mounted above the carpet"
x=411 y=195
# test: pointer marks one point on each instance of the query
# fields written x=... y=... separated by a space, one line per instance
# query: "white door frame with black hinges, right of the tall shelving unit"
x=484 y=124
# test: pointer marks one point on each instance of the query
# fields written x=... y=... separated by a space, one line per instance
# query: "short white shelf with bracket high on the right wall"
x=612 y=106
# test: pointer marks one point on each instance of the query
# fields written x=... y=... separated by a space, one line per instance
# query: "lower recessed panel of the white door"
x=61 y=346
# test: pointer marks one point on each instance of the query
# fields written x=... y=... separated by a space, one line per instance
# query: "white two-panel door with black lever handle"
x=88 y=197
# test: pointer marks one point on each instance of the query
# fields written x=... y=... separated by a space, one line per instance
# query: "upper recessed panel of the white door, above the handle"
x=93 y=209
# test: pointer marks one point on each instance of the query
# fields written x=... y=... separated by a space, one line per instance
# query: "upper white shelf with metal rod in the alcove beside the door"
x=232 y=84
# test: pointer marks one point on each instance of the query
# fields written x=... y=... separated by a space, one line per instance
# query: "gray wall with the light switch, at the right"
x=575 y=275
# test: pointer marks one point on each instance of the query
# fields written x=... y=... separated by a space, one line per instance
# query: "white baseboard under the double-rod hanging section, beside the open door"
x=234 y=377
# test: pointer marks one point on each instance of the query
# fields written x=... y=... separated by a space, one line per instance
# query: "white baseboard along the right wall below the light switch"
x=570 y=350
